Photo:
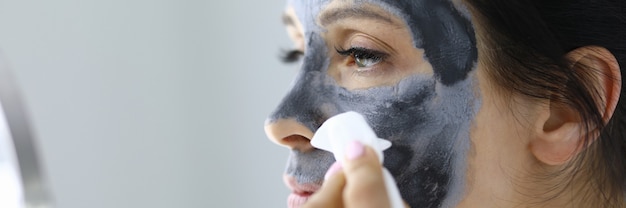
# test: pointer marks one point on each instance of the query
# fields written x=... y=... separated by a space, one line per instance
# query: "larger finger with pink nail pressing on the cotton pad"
x=365 y=186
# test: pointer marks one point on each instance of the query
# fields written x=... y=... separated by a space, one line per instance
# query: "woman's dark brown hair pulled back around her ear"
x=525 y=42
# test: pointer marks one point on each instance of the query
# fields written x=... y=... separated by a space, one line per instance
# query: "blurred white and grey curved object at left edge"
x=21 y=177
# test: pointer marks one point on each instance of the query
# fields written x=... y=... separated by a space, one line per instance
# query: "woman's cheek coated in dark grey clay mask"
x=430 y=130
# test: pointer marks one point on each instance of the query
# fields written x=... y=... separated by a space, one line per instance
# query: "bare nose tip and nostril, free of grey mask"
x=290 y=133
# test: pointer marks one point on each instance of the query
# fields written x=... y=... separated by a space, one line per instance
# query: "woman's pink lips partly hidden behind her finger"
x=300 y=192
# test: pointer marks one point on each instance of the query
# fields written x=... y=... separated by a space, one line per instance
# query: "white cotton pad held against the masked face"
x=338 y=131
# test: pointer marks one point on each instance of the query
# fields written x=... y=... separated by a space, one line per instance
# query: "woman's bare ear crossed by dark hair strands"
x=559 y=130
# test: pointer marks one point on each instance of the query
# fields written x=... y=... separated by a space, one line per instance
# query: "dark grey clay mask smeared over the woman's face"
x=427 y=117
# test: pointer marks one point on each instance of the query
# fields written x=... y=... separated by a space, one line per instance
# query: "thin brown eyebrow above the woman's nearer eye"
x=334 y=15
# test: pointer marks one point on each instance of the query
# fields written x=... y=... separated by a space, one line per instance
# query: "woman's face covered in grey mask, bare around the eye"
x=409 y=66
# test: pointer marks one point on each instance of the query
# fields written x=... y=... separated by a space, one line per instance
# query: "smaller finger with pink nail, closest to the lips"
x=330 y=193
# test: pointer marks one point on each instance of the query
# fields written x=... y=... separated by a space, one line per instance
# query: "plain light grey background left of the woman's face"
x=152 y=103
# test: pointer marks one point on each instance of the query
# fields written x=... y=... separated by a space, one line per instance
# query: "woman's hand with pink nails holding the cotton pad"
x=357 y=182
